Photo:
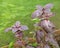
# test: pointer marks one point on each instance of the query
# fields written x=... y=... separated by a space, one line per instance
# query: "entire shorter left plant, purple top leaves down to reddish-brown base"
x=17 y=28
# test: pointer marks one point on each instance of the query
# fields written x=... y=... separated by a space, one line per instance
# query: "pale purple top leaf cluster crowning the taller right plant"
x=43 y=12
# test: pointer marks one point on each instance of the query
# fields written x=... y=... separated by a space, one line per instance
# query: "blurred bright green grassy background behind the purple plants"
x=14 y=10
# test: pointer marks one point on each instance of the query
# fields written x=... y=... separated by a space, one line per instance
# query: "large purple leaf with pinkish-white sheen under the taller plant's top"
x=47 y=25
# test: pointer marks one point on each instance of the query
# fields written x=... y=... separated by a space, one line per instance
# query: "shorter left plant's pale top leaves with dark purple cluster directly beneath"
x=17 y=28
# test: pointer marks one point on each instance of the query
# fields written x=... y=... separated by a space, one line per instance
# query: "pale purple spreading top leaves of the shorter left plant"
x=17 y=26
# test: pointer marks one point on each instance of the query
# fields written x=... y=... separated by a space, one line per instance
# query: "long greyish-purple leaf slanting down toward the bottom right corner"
x=50 y=39
